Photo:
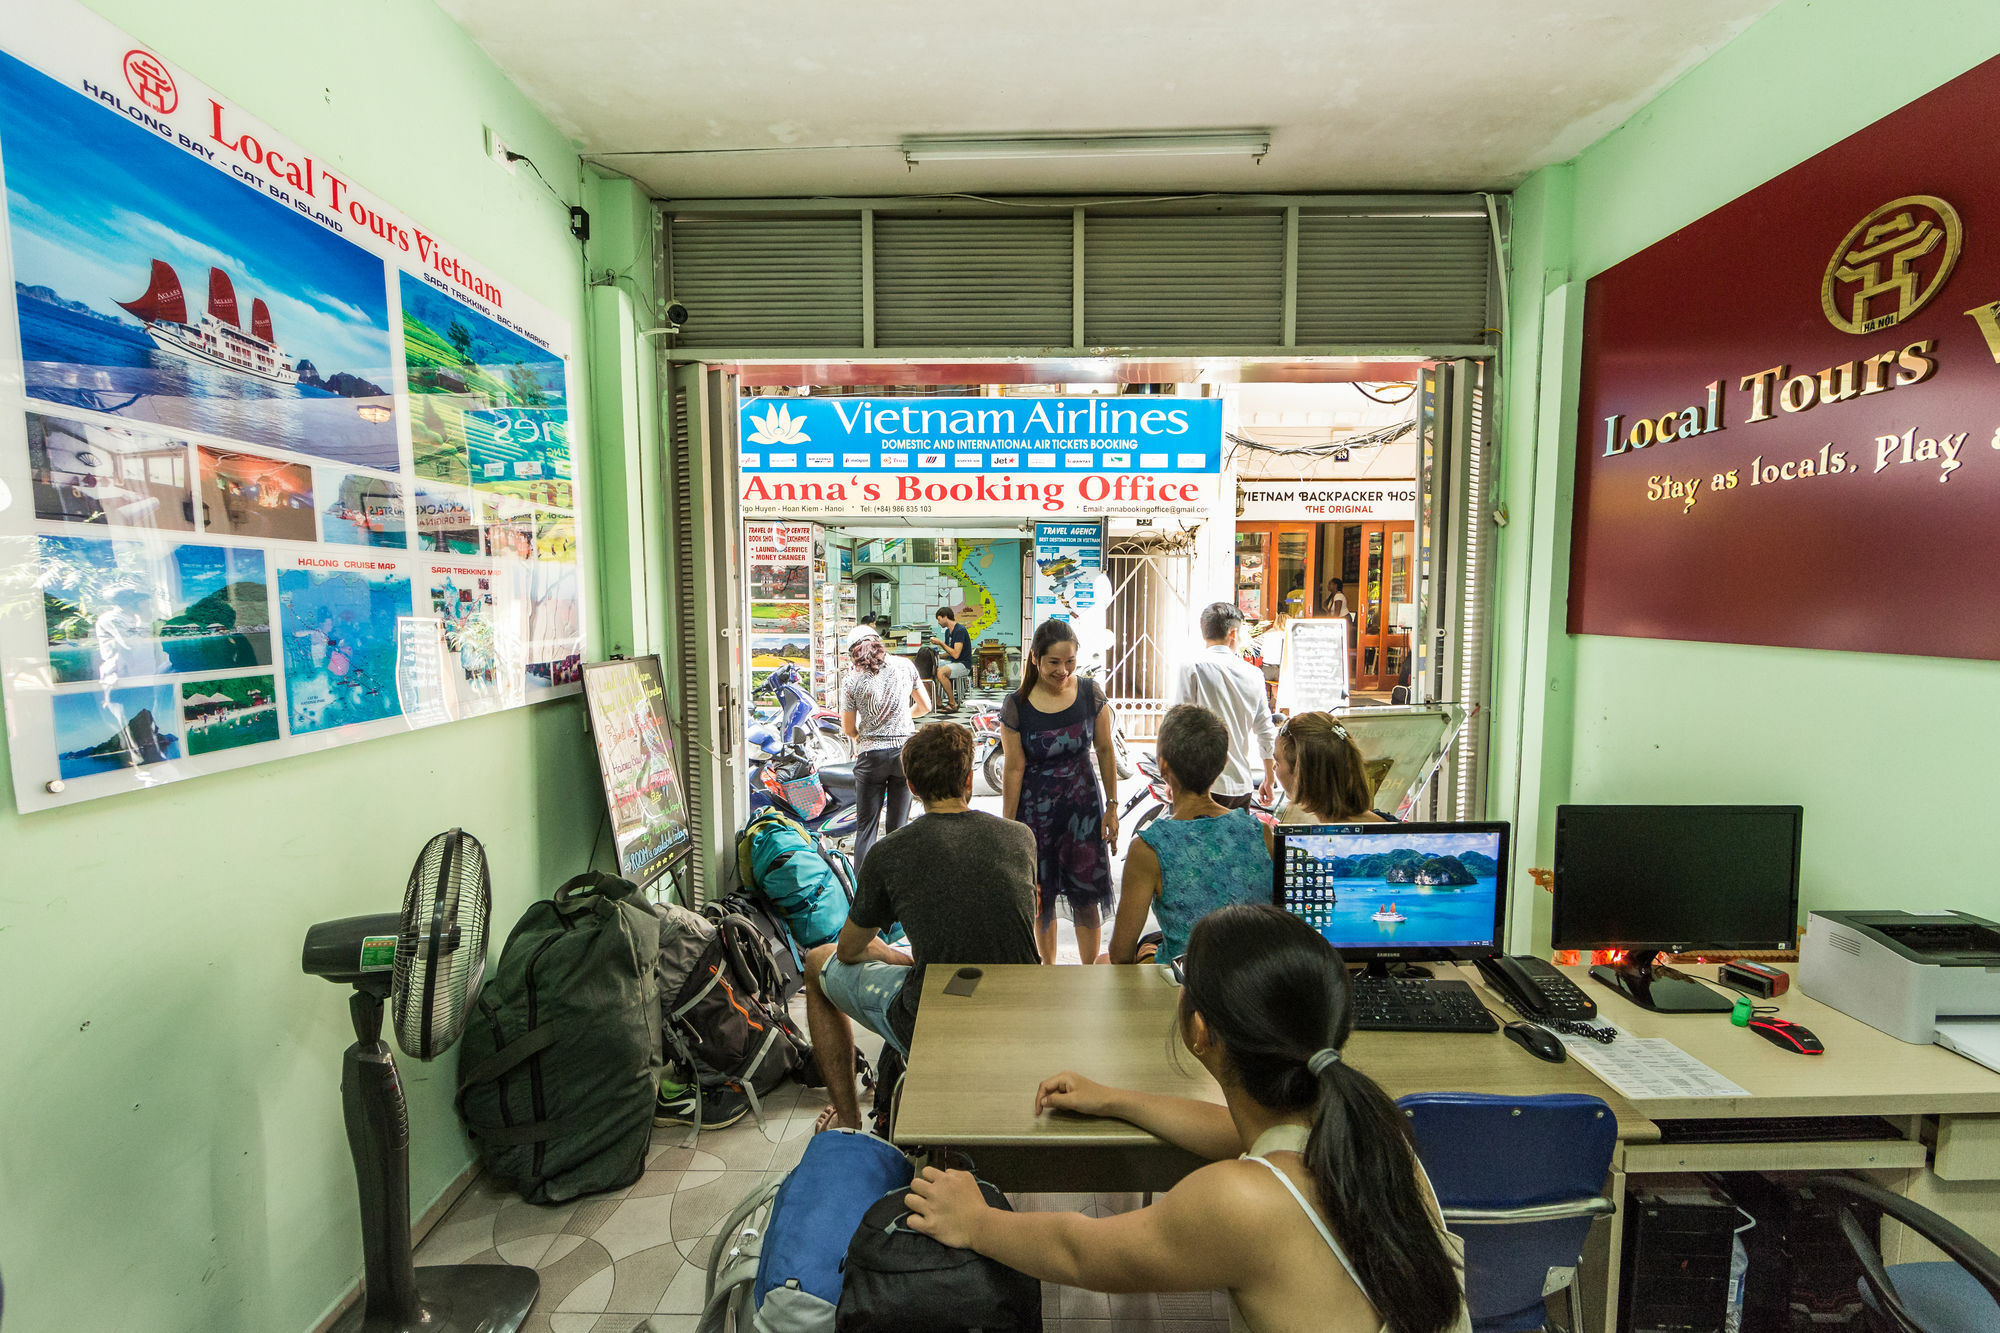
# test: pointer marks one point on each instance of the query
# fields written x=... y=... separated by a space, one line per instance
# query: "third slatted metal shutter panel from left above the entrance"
x=1185 y=281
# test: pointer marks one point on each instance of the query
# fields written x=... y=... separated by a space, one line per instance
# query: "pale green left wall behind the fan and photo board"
x=171 y=1140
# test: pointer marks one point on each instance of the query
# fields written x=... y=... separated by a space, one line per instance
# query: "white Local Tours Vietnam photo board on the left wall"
x=279 y=467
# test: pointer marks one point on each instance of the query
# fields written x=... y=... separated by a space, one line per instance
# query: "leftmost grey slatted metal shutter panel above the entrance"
x=769 y=281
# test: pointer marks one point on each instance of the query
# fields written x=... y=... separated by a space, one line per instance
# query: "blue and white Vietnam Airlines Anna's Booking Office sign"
x=981 y=457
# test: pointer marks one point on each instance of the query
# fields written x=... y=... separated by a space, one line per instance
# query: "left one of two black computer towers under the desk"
x=1679 y=1238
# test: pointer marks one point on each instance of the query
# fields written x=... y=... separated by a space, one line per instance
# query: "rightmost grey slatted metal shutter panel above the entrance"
x=1393 y=279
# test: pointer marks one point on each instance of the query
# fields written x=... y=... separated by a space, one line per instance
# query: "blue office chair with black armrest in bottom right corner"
x=1919 y=1298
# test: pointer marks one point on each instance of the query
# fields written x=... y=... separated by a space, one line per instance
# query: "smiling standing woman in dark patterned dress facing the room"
x=1049 y=730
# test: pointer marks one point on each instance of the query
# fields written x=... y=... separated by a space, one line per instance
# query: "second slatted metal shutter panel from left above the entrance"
x=973 y=281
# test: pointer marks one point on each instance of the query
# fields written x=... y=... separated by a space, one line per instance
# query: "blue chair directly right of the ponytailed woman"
x=1519 y=1180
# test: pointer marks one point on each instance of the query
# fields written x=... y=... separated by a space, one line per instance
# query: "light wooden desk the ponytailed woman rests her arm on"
x=977 y=1062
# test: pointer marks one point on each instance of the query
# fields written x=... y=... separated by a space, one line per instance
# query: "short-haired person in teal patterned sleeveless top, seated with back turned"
x=1197 y=860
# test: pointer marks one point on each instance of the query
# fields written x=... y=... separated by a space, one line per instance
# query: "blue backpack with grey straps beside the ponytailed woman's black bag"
x=785 y=1276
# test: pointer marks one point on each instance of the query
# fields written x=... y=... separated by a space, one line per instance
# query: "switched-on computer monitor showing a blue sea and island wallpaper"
x=1397 y=894
